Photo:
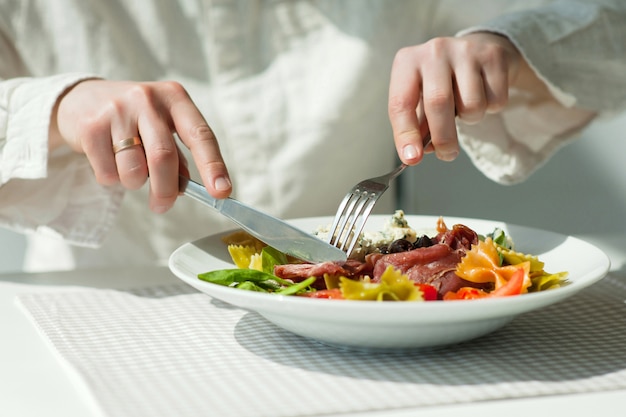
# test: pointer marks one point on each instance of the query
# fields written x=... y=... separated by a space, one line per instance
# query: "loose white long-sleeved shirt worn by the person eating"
x=296 y=92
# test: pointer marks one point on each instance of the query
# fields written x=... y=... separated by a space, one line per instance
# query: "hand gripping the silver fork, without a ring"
x=435 y=82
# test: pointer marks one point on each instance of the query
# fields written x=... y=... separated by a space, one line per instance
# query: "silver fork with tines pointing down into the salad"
x=356 y=207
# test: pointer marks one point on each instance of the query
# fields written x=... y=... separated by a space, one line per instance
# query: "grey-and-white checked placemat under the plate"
x=170 y=351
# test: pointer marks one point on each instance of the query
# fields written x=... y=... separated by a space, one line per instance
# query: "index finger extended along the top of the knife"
x=196 y=134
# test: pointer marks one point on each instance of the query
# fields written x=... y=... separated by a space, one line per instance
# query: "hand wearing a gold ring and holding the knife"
x=94 y=115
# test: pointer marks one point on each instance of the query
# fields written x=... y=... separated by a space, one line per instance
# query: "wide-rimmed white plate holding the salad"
x=387 y=325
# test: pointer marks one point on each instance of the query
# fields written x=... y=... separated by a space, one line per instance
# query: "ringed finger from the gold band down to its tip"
x=130 y=160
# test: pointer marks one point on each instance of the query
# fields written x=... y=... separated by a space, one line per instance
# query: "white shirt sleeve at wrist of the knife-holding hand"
x=54 y=194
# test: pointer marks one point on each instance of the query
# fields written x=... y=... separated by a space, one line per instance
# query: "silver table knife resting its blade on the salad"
x=275 y=232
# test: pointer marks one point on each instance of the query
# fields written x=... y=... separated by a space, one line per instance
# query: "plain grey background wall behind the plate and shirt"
x=582 y=190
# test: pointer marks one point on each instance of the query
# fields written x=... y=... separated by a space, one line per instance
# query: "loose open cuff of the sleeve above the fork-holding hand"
x=509 y=146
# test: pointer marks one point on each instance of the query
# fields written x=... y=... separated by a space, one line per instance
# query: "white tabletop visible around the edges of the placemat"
x=33 y=383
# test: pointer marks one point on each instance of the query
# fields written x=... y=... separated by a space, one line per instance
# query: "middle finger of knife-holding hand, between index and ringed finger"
x=162 y=158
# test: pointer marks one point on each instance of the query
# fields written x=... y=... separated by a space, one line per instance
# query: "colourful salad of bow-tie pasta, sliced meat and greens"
x=395 y=264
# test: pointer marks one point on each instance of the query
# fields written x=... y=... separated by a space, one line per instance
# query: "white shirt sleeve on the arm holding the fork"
x=578 y=49
